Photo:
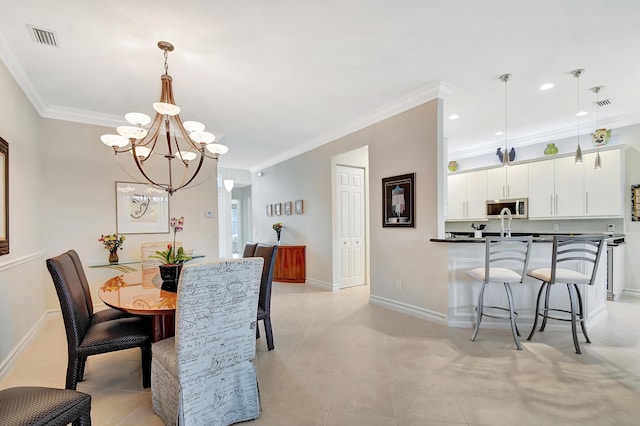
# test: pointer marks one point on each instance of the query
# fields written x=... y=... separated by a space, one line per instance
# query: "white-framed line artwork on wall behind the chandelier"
x=141 y=209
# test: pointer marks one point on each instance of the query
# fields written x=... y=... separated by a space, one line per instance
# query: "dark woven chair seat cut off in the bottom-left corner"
x=41 y=406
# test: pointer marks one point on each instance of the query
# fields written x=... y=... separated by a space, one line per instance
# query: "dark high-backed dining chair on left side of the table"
x=85 y=337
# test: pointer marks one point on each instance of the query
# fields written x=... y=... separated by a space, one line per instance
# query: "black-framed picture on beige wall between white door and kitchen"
x=398 y=201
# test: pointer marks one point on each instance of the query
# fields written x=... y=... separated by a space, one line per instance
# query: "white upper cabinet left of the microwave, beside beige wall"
x=467 y=196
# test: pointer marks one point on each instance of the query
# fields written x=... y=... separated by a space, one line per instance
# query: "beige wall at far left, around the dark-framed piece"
x=24 y=292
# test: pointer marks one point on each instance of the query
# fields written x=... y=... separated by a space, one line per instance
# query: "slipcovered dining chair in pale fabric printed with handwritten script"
x=206 y=374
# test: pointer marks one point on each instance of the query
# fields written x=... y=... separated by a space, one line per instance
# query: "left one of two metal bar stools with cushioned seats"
x=502 y=256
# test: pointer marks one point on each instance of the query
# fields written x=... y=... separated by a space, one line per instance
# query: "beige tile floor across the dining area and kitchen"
x=342 y=361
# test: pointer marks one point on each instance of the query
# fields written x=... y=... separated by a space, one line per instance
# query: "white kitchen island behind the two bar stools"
x=466 y=253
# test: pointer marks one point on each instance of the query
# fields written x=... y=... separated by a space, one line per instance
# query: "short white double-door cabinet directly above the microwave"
x=508 y=182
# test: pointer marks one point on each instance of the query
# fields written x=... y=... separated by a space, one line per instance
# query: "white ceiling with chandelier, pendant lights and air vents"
x=279 y=77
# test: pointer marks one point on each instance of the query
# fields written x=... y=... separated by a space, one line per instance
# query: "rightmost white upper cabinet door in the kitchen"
x=603 y=188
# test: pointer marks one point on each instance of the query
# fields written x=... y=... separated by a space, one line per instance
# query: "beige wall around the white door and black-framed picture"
x=405 y=143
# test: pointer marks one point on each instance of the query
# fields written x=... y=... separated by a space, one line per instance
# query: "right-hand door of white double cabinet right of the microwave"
x=569 y=187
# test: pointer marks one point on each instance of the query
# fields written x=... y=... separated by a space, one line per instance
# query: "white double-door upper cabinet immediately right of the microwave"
x=556 y=188
